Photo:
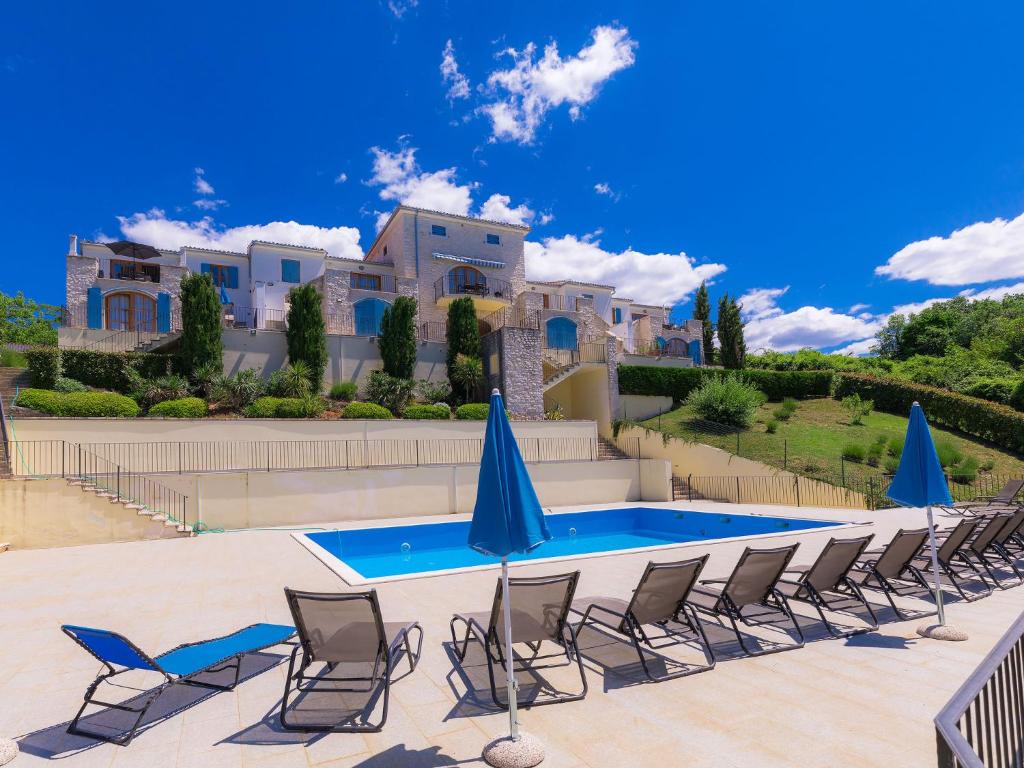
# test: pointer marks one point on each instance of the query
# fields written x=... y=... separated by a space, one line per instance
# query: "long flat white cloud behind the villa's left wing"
x=155 y=229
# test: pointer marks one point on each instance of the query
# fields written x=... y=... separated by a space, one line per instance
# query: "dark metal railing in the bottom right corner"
x=983 y=727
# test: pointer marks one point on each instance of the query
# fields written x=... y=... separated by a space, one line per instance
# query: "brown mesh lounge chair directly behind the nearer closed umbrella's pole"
x=540 y=613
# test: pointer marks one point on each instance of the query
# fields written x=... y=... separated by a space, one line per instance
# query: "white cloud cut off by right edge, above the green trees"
x=980 y=253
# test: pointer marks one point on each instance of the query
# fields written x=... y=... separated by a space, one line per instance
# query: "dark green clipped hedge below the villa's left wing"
x=103 y=370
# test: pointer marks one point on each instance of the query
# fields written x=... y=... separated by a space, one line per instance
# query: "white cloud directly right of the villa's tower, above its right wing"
x=650 y=279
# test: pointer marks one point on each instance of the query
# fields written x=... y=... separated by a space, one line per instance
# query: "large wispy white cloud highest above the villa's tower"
x=530 y=90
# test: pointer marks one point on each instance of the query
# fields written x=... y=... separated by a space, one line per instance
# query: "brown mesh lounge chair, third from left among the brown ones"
x=660 y=600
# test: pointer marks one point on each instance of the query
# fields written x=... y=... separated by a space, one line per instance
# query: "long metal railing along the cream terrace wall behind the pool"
x=61 y=459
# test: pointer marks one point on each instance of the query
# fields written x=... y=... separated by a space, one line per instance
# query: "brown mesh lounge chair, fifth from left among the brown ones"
x=827 y=584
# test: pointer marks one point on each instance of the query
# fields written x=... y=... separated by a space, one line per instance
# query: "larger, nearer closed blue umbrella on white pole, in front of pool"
x=507 y=518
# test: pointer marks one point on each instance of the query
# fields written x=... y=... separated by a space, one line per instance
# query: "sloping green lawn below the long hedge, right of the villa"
x=813 y=441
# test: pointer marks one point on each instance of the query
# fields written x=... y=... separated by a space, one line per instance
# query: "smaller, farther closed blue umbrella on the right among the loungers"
x=920 y=482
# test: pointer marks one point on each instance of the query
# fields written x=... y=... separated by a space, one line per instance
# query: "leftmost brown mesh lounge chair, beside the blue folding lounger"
x=338 y=629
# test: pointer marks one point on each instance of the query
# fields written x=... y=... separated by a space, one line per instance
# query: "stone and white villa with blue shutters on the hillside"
x=544 y=344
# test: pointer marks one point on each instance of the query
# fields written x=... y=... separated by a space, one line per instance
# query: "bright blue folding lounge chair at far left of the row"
x=181 y=665
